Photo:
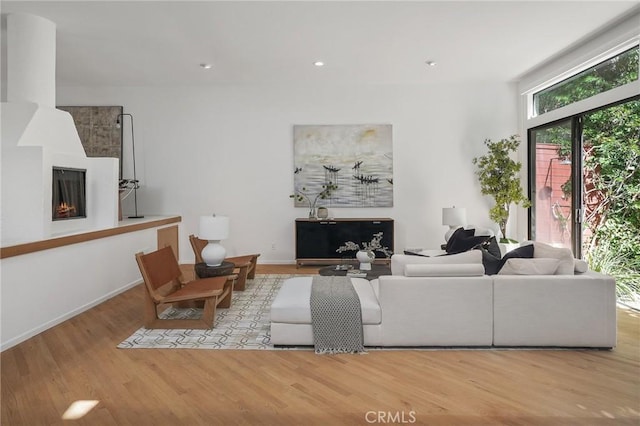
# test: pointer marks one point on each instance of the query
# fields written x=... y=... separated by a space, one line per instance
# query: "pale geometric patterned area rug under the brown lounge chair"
x=245 y=325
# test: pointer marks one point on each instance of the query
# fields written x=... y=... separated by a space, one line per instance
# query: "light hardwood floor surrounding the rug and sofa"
x=78 y=360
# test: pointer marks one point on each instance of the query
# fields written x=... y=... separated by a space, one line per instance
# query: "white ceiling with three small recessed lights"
x=163 y=43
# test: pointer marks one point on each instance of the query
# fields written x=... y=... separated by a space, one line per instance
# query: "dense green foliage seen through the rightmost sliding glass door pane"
x=612 y=177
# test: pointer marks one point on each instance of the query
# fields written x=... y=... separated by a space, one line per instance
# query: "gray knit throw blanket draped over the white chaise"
x=336 y=316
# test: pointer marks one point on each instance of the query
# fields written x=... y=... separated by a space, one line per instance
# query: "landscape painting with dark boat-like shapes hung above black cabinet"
x=358 y=159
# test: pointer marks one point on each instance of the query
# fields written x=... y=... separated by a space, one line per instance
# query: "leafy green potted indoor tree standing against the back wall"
x=499 y=178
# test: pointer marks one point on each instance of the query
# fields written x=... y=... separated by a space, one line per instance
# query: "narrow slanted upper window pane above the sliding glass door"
x=607 y=75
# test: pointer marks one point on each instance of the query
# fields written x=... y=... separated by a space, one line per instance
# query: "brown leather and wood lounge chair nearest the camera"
x=164 y=284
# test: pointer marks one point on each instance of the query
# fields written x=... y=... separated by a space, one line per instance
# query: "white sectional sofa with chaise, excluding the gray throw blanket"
x=449 y=302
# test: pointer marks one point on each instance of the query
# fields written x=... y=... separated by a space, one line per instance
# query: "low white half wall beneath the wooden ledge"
x=45 y=288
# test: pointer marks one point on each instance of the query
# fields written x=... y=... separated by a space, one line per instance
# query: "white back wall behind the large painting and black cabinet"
x=229 y=150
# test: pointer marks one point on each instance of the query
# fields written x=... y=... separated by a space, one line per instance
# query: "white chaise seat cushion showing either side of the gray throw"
x=291 y=304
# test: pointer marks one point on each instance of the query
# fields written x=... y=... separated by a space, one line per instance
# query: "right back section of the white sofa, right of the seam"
x=555 y=310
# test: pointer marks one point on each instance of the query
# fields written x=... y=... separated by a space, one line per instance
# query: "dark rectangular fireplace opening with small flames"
x=69 y=194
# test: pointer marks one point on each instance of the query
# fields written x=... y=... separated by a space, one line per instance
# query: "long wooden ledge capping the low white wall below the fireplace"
x=130 y=226
